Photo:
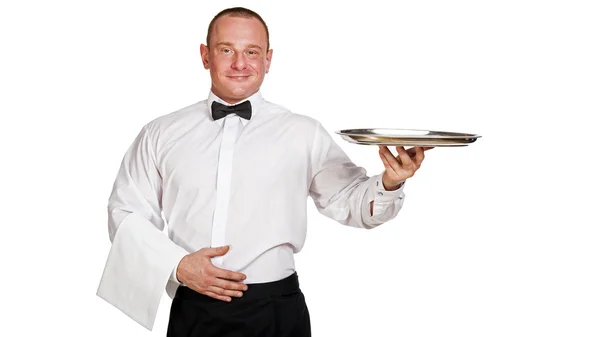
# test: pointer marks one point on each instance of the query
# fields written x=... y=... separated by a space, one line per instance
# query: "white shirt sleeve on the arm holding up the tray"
x=342 y=191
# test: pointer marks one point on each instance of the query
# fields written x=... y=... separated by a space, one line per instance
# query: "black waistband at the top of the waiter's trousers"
x=286 y=286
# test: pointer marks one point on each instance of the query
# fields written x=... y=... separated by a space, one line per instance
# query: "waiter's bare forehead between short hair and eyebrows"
x=238 y=30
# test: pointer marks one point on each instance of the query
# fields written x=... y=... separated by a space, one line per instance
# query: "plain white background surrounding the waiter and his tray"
x=500 y=238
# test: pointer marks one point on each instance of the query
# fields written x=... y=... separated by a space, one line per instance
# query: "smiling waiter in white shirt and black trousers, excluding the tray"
x=231 y=174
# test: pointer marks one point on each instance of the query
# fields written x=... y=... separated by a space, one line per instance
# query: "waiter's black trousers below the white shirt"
x=273 y=309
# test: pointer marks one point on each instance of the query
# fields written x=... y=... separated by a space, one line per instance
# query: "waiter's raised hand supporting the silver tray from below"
x=402 y=167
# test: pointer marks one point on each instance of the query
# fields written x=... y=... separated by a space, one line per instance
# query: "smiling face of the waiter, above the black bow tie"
x=238 y=58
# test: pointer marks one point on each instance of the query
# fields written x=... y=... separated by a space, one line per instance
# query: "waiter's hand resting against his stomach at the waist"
x=197 y=272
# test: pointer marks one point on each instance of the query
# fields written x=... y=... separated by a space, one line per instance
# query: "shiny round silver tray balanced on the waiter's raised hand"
x=406 y=137
